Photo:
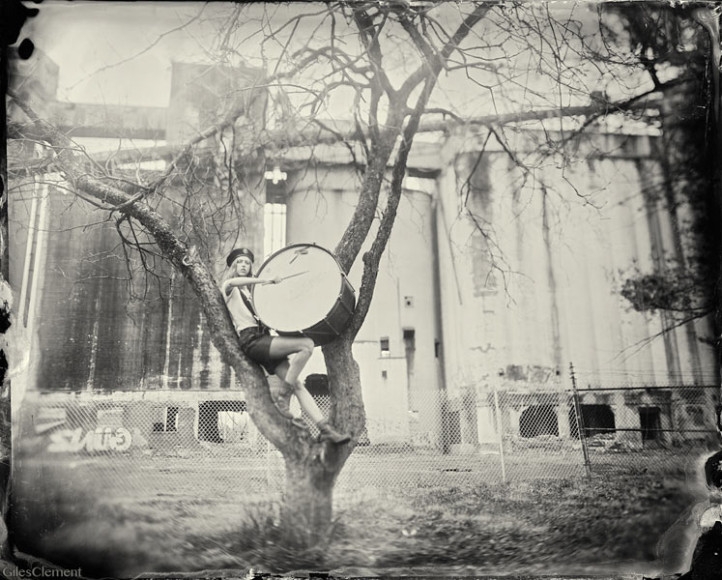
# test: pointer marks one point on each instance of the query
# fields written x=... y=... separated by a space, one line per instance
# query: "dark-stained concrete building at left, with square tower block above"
x=89 y=322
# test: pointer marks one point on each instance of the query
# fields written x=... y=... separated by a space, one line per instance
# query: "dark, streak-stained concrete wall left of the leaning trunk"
x=94 y=326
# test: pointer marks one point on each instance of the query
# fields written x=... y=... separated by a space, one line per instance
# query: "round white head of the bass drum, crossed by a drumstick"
x=312 y=282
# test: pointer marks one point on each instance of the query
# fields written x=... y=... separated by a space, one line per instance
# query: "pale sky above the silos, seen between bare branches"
x=121 y=53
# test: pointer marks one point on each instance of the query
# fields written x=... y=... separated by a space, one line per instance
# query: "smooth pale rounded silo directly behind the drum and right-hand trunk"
x=401 y=387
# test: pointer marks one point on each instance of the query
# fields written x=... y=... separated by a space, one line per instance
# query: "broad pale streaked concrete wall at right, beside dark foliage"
x=531 y=266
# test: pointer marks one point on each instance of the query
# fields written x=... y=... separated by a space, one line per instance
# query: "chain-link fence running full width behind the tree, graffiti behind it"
x=472 y=436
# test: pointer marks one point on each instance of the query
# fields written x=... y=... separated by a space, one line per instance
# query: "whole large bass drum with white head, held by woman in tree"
x=313 y=299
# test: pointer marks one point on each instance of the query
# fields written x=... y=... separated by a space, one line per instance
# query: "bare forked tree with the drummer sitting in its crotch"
x=390 y=57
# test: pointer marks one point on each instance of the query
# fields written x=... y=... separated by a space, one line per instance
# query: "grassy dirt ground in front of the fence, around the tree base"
x=126 y=515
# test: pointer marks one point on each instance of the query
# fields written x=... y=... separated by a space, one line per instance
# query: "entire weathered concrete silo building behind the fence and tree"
x=496 y=278
